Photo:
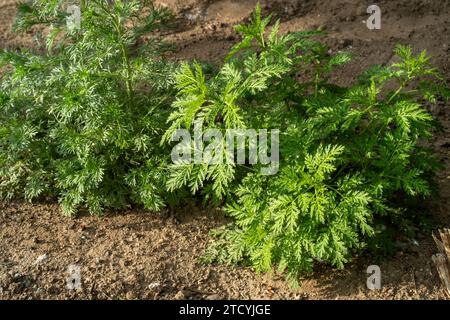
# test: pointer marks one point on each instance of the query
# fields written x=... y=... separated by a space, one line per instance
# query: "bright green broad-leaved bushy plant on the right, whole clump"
x=349 y=156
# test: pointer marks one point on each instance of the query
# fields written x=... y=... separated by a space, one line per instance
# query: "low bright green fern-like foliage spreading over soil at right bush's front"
x=303 y=215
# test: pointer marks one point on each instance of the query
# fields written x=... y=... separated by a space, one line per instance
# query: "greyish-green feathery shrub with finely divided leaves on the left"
x=82 y=116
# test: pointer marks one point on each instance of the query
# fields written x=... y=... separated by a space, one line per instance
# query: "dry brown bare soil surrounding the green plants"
x=142 y=255
